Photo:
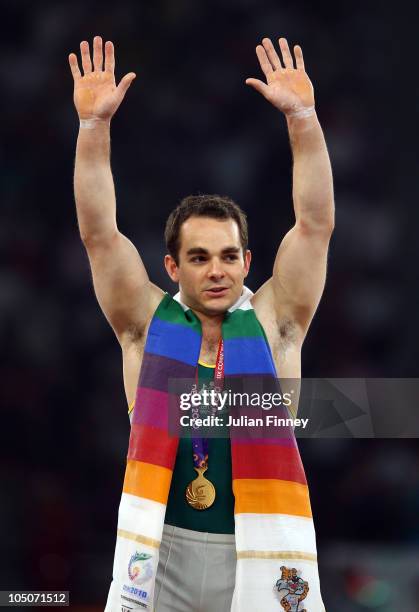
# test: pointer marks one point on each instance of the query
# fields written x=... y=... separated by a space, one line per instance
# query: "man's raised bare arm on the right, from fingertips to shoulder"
x=299 y=272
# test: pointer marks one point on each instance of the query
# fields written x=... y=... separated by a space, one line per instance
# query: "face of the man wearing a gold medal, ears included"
x=211 y=266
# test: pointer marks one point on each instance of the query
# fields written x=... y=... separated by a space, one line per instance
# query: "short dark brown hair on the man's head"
x=203 y=205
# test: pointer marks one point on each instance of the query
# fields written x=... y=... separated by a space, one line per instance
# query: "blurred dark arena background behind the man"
x=189 y=124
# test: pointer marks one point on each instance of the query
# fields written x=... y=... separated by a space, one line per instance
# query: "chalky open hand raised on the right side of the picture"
x=289 y=89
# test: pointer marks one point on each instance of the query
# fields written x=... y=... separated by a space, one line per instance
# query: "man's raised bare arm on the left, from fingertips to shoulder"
x=121 y=283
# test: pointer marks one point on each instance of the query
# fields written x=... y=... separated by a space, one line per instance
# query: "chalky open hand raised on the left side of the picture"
x=96 y=95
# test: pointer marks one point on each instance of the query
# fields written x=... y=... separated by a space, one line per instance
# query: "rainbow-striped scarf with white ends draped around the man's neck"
x=275 y=539
